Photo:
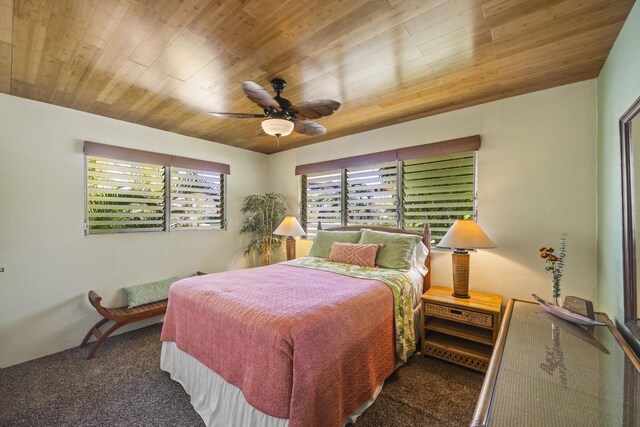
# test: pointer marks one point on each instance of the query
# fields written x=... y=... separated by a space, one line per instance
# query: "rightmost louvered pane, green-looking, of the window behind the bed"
x=438 y=191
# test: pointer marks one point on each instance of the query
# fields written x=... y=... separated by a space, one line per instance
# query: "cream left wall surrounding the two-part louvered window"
x=49 y=264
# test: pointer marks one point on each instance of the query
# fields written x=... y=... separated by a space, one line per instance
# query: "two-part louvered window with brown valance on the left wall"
x=137 y=191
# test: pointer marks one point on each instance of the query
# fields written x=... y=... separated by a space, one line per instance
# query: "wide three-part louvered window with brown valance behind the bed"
x=434 y=183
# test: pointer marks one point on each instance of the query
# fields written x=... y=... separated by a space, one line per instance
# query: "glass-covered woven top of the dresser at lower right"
x=556 y=373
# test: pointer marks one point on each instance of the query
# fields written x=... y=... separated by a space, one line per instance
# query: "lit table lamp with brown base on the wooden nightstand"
x=464 y=234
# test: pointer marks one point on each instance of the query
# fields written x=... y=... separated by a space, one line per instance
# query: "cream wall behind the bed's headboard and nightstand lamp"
x=536 y=180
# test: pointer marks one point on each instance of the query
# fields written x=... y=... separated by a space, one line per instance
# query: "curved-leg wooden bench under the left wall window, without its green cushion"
x=121 y=316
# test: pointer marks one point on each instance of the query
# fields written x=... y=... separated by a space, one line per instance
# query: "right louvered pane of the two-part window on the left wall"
x=197 y=199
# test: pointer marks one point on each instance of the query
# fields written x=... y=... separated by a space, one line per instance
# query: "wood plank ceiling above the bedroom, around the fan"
x=166 y=63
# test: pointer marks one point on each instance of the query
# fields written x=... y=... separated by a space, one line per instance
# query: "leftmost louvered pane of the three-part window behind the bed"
x=322 y=196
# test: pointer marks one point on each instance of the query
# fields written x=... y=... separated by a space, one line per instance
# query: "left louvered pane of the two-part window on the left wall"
x=124 y=196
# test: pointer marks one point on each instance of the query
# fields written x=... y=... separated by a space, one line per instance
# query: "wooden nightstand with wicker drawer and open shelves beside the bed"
x=458 y=330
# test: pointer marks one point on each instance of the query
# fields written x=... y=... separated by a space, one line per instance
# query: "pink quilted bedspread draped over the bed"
x=302 y=344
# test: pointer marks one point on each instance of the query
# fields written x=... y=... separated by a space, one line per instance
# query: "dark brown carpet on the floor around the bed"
x=124 y=386
